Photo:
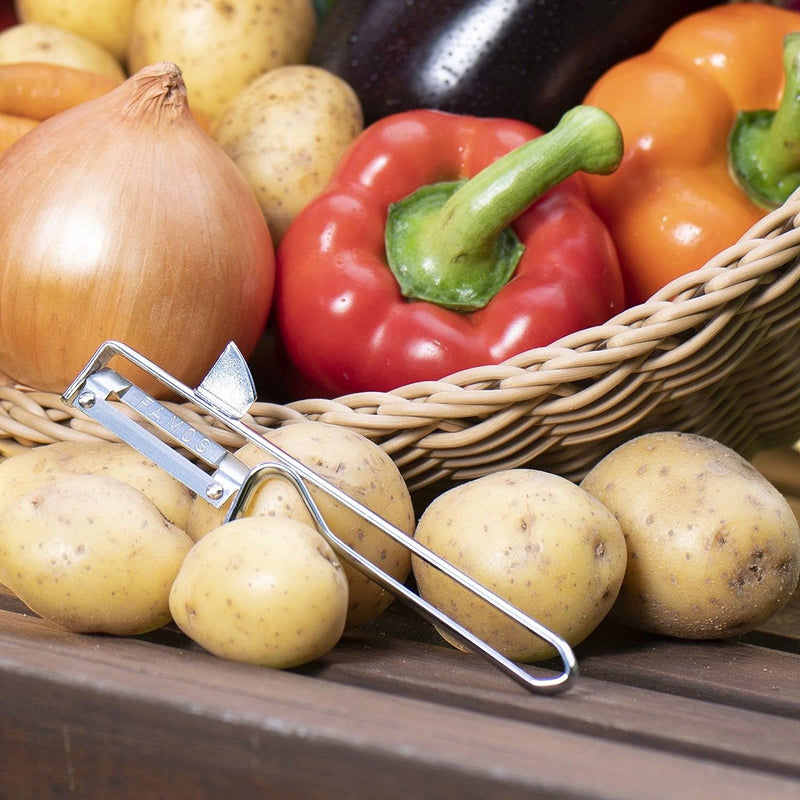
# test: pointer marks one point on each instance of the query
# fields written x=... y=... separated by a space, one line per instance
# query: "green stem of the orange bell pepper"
x=765 y=145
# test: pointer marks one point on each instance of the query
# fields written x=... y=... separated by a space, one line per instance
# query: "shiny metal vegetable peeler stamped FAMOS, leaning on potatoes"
x=214 y=473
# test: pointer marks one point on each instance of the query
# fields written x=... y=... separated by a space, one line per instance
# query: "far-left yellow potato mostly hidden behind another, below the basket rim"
x=26 y=471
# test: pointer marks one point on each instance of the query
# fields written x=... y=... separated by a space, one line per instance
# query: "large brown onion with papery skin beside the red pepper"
x=122 y=219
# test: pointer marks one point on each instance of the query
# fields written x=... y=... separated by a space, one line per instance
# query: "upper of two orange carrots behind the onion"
x=39 y=90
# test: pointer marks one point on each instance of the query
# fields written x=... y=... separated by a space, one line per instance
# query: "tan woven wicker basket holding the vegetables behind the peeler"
x=716 y=352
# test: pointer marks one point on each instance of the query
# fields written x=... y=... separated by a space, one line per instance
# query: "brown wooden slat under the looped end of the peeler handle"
x=607 y=710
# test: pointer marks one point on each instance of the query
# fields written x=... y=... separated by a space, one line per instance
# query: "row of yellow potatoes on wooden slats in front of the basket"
x=671 y=533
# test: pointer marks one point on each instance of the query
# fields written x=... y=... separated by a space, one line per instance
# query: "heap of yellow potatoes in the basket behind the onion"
x=284 y=123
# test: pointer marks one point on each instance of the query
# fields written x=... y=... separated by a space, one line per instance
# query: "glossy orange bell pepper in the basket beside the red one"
x=675 y=201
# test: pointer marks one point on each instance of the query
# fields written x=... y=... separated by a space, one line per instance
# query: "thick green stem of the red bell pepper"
x=451 y=244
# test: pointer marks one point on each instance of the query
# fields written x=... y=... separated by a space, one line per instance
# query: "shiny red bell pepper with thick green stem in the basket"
x=404 y=271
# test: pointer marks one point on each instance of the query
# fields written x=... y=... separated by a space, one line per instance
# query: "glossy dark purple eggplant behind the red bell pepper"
x=527 y=59
